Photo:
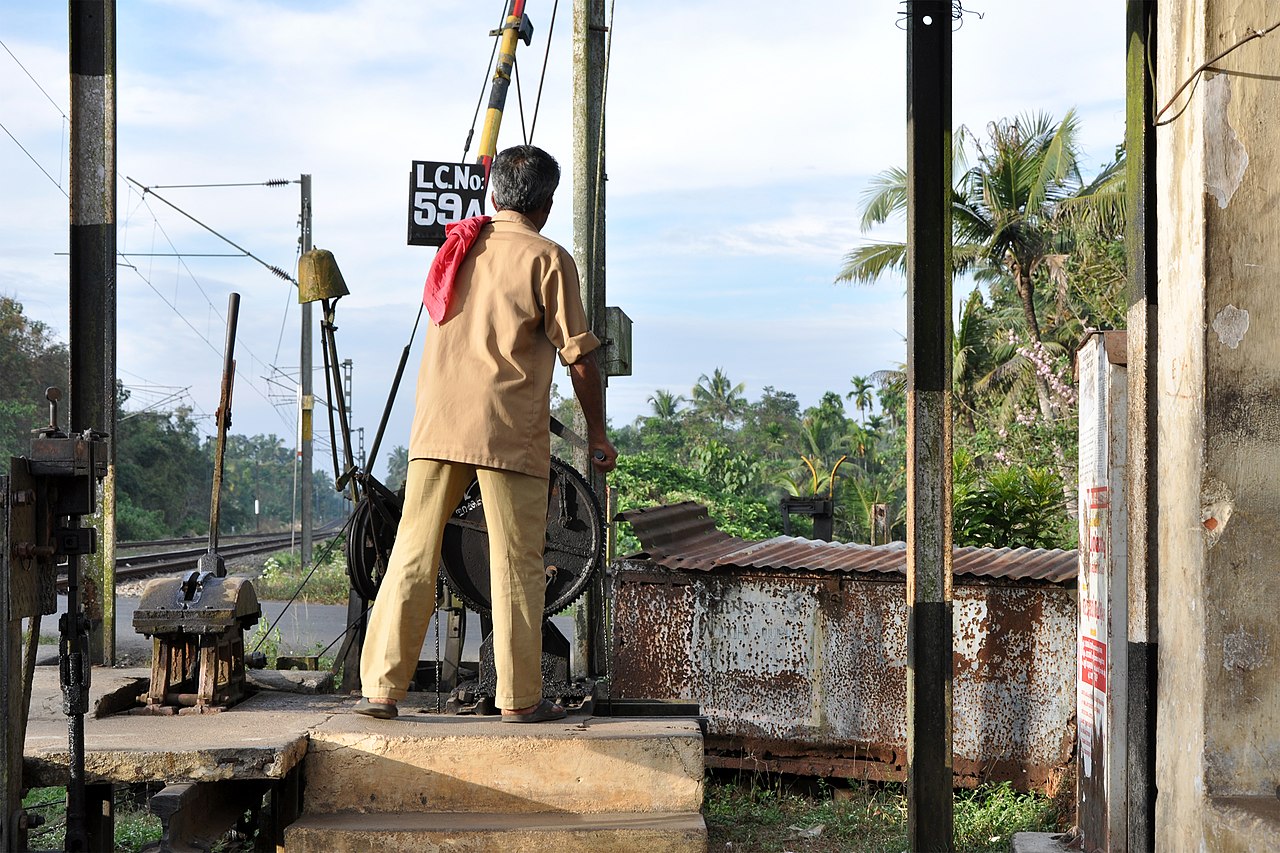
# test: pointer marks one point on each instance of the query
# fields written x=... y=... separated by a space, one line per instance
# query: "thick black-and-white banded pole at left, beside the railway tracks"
x=93 y=264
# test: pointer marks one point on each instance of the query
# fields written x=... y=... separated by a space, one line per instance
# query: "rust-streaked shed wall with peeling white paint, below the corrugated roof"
x=815 y=665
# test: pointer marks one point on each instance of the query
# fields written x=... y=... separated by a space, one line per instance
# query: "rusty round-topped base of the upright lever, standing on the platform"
x=196 y=627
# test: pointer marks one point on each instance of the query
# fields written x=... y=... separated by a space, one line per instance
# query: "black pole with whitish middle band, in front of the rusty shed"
x=929 y=426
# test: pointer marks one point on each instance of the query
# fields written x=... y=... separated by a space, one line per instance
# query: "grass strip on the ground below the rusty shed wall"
x=771 y=814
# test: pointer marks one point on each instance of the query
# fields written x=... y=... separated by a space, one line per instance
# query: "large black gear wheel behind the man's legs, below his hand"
x=574 y=550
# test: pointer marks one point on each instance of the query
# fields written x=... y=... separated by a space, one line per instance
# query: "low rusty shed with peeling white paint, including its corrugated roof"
x=797 y=650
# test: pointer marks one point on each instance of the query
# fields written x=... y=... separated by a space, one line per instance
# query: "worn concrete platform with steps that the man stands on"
x=423 y=782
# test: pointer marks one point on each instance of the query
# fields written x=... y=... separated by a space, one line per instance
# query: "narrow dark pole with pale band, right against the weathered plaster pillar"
x=1142 y=496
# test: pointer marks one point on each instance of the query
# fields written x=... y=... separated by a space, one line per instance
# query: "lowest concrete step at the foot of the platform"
x=474 y=833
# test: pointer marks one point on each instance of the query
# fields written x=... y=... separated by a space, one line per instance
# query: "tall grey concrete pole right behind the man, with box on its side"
x=589 y=70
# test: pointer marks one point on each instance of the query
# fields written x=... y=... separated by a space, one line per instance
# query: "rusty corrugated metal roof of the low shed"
x=682 y=536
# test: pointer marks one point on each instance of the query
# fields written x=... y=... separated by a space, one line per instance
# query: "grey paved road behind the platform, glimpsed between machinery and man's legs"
x=304 y=630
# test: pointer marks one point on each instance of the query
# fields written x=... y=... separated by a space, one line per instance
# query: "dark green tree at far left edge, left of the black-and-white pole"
x=31 y=361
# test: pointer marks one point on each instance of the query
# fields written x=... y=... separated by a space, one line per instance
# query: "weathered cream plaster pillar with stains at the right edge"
x=1218 y=761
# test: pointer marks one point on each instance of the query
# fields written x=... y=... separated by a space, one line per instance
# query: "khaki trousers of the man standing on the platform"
x=515 y=509
